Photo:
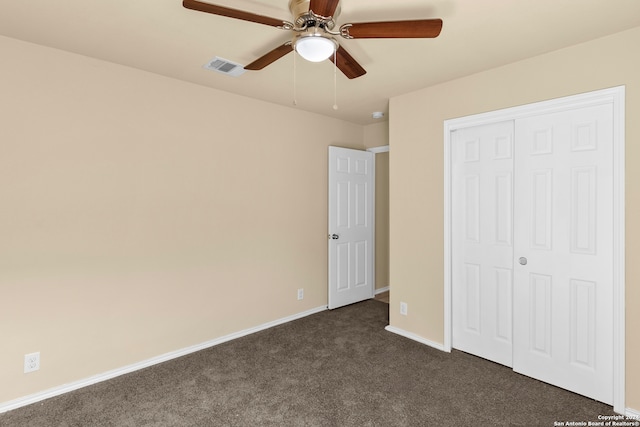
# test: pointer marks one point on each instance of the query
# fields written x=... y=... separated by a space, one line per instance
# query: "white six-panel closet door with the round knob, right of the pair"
x=563 y=333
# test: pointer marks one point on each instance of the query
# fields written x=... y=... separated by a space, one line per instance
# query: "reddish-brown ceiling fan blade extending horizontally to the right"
x=423 y=28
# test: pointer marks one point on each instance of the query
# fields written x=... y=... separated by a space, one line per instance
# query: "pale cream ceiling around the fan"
x=162 y=37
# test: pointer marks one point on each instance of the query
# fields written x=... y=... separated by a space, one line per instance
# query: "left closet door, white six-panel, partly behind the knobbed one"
x=482 y=240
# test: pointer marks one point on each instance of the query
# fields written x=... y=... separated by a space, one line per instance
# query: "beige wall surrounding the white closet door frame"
x=416 y=170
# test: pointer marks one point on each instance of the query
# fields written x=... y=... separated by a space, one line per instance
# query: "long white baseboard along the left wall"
x=66 y=388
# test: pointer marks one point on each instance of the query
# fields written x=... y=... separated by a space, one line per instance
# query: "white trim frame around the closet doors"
x=614 y=96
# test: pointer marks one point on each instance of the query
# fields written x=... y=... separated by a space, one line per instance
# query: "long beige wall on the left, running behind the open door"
x=141 y=215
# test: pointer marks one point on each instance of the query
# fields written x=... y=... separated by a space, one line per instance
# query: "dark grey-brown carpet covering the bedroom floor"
x=335 y=368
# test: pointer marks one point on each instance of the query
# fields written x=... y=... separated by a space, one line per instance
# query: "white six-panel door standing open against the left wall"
x=351 y=251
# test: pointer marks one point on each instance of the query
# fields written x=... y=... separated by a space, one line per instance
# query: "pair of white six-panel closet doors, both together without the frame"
x=545 y=202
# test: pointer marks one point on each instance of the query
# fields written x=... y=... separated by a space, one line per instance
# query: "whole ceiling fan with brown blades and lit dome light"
x=314 y=38
